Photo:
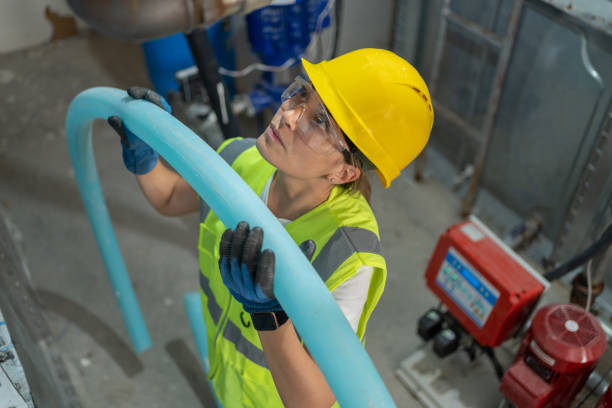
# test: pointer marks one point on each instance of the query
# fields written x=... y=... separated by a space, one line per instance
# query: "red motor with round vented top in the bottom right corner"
x=555 y=359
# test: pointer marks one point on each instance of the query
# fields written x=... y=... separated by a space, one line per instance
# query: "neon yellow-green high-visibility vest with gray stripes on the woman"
x=346 y=237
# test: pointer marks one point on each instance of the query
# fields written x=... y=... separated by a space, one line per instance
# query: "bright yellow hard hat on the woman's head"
x=380 y=102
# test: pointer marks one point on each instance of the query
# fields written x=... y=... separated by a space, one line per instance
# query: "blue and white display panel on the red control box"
x=468 y=289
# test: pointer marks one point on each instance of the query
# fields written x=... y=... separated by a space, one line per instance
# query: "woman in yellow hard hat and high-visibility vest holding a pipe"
x=368 y=109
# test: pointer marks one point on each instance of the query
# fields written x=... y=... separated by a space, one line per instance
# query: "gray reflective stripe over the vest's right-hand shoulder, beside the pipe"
x=344 y=243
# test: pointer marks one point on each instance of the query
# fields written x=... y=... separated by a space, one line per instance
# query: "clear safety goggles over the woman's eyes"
x=314 y=125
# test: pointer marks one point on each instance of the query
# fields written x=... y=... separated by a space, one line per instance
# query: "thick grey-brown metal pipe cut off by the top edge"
x=143 y=20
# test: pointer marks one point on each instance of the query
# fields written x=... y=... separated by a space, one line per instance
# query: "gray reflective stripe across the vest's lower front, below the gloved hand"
x=231 y=332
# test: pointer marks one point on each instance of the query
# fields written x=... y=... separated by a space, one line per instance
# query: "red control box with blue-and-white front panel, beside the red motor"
x=485 y=285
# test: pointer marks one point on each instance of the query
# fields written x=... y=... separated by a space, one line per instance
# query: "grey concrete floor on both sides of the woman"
x=39 y=194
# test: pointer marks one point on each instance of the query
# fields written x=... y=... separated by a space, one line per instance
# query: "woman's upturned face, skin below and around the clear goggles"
x=293 y=147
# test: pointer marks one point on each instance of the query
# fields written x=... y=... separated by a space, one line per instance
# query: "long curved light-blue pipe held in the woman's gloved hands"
x=324 y=329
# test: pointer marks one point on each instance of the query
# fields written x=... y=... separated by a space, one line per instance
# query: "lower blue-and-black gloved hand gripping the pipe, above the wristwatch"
x=248 y=272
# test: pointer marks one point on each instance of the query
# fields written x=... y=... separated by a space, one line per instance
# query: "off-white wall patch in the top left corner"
x=23 y=23
